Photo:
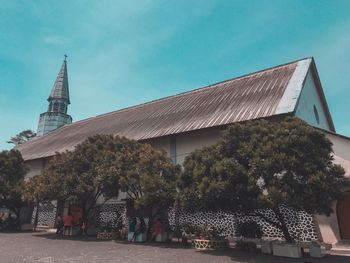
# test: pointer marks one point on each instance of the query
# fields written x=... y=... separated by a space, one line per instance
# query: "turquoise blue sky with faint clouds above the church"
x=122 y=53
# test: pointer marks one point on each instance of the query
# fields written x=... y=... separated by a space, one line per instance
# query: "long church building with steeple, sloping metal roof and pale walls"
x=187 y=121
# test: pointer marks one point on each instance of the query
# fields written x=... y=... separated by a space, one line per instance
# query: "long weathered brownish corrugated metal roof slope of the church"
x=252 y=96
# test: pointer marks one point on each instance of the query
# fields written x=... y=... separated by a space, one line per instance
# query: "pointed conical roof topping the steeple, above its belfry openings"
x=60 y=89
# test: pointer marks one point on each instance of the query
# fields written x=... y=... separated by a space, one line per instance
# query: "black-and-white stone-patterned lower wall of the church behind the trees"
x=300 y=224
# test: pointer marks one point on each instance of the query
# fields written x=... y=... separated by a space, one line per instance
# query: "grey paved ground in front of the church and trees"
x=43 y=247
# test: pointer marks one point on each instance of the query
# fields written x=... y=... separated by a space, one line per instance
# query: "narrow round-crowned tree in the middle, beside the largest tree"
x=149 y=180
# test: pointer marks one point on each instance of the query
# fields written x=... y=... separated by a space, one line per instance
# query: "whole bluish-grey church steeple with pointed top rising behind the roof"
x=56 y=115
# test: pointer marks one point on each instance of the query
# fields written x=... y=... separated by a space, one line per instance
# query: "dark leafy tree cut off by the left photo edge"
x=12 y=172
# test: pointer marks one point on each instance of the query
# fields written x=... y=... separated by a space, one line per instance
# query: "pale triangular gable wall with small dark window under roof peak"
x=305 y=106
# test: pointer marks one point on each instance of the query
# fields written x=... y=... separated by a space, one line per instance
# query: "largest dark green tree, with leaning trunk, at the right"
x=265 y=165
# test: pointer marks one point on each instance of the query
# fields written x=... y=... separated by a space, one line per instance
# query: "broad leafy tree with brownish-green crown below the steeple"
x=84 y=175
